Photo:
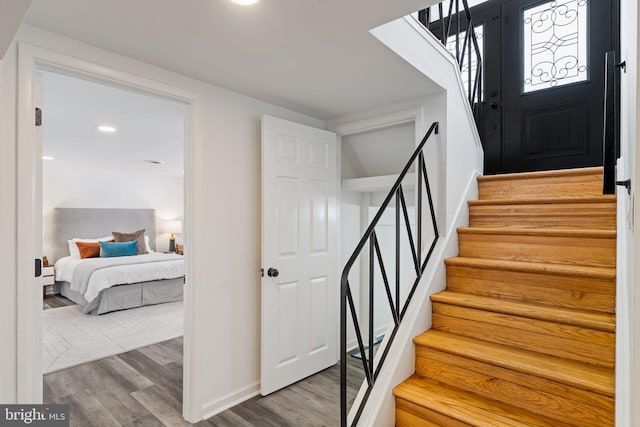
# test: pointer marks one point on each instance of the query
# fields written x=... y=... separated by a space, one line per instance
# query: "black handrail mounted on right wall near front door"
x=610 y=133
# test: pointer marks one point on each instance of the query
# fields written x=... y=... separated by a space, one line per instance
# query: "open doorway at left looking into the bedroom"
x=111 y=187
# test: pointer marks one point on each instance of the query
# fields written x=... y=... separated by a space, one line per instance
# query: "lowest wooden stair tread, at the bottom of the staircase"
x=463 y=406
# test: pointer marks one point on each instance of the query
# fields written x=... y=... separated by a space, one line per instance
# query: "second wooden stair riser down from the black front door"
x=595 y=216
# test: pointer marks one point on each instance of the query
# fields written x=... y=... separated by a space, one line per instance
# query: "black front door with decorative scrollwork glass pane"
x=553 y=82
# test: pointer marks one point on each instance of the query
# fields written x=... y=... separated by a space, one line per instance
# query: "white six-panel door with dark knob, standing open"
x=299 y=240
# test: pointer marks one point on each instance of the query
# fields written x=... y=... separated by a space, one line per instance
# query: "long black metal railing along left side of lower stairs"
x=398 y=308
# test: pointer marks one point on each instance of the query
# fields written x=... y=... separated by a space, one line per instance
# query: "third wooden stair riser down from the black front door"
x=593 y=251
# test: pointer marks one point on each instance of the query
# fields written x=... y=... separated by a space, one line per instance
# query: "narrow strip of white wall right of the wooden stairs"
x=628 y=275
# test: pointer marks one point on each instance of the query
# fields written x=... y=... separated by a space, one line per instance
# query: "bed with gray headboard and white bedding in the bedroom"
x=102 y=285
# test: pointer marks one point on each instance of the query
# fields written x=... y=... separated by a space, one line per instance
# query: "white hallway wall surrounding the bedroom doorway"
x=226 y=282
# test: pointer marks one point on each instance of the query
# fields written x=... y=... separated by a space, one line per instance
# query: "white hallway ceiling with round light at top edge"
x=313 y=56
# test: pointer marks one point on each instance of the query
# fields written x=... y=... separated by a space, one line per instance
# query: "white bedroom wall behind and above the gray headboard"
x=76 y=187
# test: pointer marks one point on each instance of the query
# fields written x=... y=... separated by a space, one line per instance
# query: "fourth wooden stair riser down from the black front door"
x=549 y=289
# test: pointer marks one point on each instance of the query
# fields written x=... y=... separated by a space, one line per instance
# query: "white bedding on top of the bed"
x=122 y=274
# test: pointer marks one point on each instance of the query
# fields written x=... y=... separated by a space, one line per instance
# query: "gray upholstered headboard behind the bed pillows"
x=85 y=223
